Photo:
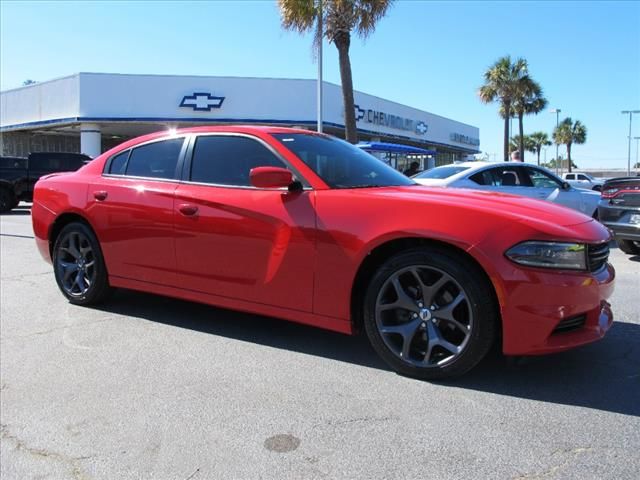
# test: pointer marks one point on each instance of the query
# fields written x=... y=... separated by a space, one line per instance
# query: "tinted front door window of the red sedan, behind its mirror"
x=227 y=160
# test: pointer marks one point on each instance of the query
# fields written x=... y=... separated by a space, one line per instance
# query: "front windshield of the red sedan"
x=340 y=164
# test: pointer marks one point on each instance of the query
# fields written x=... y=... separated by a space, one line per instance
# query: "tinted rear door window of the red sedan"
x=155 y=160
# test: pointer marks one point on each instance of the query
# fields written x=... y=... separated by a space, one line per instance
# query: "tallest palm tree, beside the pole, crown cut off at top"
x=340 y=19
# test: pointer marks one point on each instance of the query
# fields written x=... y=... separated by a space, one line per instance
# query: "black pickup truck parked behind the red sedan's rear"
x=18 y=175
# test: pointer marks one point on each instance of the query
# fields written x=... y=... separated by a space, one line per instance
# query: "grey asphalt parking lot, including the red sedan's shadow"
x=149 y=387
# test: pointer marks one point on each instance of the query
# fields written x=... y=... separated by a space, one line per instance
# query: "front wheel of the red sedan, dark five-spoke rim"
x=439 y=328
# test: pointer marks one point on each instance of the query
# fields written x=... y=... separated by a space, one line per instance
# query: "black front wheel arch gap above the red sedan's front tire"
x=378 y=255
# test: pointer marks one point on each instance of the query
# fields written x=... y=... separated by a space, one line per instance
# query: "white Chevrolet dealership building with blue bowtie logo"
x=92 y=112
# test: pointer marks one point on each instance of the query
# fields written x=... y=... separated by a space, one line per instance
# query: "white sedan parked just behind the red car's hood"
x=515 y=178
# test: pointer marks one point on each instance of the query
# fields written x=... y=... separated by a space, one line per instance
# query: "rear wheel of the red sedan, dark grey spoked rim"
x=79 y=266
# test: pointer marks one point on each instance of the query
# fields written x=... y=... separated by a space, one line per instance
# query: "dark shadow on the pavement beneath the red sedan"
x=604 y=375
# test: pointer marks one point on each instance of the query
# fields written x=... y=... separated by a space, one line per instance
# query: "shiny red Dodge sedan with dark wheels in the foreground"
x=306 y=227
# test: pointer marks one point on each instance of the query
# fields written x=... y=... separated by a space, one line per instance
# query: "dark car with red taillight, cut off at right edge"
x=620 y=211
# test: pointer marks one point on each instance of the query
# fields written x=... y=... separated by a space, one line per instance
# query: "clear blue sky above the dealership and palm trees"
x=426 y=54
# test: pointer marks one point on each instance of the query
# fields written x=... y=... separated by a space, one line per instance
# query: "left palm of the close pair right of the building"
x=501 y=82
